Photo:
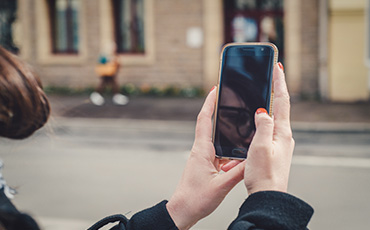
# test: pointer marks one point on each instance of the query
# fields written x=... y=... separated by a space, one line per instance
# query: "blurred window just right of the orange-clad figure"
x=129 y=26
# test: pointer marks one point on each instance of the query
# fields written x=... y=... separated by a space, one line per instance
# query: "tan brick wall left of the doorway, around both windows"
x=174 y=62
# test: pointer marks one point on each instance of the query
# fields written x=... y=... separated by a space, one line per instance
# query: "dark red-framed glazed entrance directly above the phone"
x=254 y=21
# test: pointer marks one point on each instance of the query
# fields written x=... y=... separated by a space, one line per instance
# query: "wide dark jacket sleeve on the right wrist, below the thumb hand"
x=270 y=210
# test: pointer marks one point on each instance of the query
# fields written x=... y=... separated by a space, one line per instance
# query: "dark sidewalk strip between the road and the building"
x=304 y=115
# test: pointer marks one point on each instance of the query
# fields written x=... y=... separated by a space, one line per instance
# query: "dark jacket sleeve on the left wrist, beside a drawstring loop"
x=156 y=217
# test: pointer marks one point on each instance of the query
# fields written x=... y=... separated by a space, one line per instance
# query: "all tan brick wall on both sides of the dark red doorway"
x=174 y=63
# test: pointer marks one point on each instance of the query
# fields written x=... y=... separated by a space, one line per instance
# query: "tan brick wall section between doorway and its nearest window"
x=174 y=62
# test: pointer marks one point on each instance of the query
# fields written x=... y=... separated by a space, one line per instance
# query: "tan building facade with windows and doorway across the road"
x=323 y=43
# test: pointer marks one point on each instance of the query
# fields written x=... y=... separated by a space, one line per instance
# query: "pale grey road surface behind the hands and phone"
x=75 y=171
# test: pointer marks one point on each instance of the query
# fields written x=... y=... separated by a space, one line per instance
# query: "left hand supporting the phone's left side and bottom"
x=202 y=188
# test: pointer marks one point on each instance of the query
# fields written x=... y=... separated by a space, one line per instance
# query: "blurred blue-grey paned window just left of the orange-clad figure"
x=64 y=15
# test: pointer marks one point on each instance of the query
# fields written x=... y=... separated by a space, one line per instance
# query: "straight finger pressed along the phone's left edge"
x=203 y=130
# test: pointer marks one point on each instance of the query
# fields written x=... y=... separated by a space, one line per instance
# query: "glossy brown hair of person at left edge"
x=24 y=107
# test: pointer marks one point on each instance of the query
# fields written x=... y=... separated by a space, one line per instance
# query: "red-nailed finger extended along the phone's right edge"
x=281 y=98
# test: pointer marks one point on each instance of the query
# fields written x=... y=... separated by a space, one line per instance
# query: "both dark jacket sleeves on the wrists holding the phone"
x=263 y=210
